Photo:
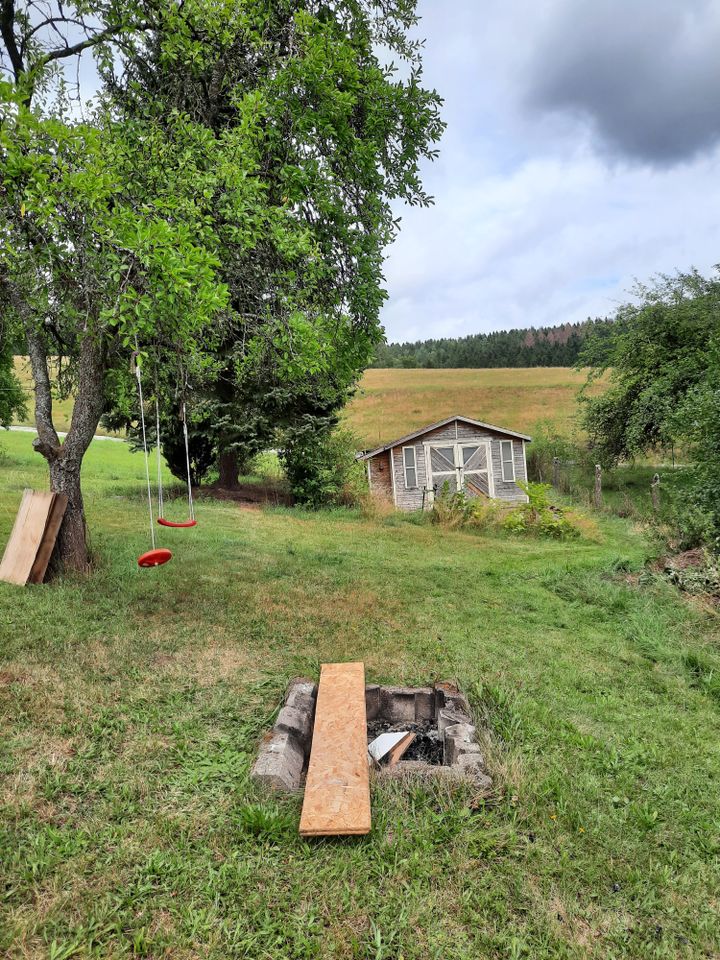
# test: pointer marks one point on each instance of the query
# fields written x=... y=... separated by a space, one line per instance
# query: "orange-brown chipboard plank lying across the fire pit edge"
x=337 y=790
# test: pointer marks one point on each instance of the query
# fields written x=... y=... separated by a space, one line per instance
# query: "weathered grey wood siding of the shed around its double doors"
x=412 y=499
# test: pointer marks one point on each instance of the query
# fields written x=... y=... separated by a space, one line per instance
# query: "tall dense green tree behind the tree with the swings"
x=342 y=137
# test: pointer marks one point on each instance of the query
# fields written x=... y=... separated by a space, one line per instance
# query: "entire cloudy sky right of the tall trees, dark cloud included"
x=582 y=153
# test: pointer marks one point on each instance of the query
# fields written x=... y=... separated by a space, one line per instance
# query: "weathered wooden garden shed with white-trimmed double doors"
x=482 y=459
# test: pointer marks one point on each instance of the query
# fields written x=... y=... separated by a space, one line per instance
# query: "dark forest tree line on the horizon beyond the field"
x=558 y=346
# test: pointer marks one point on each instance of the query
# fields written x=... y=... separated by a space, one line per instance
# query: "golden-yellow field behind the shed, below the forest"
x=391 y=403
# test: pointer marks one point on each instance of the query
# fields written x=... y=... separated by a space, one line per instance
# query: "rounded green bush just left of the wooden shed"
x=321 y=466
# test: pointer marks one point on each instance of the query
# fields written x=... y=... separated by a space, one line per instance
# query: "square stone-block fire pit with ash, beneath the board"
x=439 y=716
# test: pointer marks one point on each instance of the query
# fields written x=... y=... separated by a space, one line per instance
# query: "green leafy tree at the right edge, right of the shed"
x=664 y=356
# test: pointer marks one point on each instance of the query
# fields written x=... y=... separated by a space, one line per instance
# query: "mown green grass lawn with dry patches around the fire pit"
x=131 y=704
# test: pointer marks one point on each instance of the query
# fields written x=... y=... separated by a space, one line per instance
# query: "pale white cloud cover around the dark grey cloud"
x=533 y=223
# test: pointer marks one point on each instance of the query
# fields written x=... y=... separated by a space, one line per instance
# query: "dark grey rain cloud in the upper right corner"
x=645 y=75
